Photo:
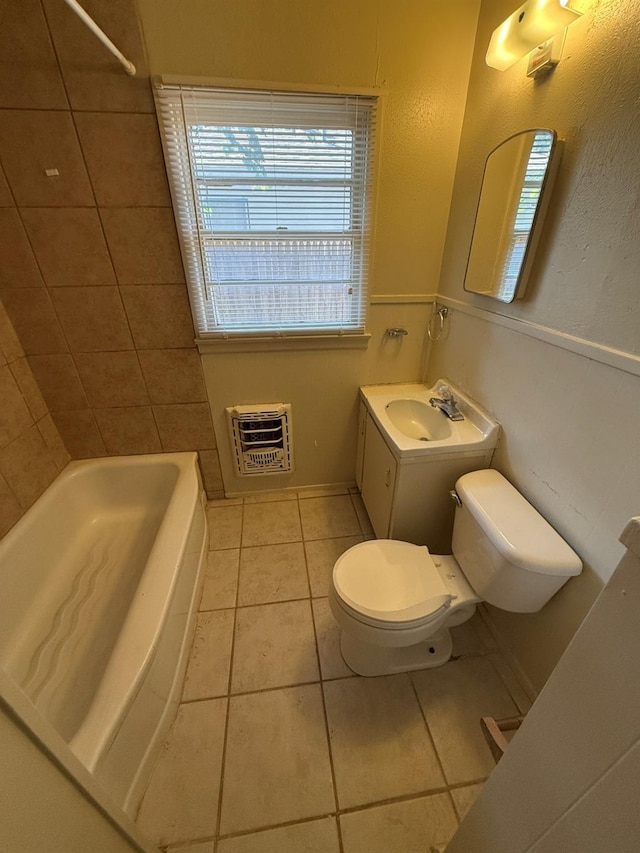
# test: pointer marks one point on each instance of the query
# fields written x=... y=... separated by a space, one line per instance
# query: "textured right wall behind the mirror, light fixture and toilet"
x=571 y=441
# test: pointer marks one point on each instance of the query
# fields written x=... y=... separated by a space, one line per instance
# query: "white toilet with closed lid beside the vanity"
x=395 y=602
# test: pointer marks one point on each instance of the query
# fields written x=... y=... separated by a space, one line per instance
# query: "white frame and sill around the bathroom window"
x=175 y=107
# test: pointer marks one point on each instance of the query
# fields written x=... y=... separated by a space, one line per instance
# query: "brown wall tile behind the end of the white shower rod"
x=94 y=79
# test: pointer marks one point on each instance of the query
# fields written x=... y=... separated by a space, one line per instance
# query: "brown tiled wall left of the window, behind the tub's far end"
x=90 y=269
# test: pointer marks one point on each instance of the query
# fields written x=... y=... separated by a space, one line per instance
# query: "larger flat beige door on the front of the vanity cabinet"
x=378 y=480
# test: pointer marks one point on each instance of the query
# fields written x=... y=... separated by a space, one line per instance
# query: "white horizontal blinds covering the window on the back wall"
x=272 y=198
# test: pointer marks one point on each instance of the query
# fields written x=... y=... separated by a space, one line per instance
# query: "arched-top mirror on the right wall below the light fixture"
x=517 y=181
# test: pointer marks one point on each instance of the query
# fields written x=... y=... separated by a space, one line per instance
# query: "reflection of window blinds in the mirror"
x=525 y=212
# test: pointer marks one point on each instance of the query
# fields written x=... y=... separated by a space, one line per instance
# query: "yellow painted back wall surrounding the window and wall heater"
x=419 y=54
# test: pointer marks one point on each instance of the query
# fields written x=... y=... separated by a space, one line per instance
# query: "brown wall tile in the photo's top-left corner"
x=29 y=74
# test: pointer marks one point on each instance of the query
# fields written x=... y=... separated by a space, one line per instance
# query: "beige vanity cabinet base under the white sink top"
x=409 y=499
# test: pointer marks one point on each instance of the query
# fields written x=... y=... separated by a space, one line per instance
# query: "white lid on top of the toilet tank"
x=515 y=527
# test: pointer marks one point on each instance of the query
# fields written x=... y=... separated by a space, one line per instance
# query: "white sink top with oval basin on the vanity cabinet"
x=412 y=427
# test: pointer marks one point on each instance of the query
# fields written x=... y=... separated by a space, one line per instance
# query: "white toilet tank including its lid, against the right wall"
x=510 y=554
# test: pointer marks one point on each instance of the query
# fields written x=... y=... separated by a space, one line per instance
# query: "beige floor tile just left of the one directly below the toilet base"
x=277 y=760
